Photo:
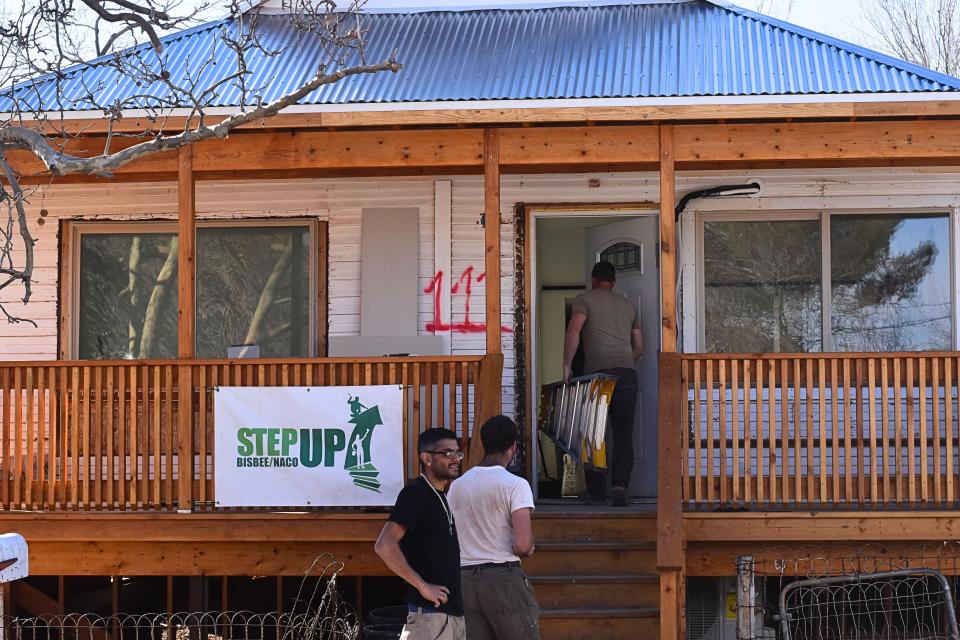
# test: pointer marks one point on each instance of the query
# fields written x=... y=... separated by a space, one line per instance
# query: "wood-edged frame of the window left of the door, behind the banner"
x=317 y=261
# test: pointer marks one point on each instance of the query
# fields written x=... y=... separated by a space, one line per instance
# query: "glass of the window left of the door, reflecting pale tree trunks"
x=255 y=285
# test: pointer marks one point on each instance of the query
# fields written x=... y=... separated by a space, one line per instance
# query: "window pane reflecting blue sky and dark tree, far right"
x=890 y=282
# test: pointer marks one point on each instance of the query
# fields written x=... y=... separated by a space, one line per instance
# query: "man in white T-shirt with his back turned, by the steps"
x=492 y=508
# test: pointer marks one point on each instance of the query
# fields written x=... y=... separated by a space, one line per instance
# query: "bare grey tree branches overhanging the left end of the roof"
x=50 y=49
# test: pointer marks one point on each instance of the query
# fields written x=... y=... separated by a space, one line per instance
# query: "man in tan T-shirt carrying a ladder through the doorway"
x=612 y=341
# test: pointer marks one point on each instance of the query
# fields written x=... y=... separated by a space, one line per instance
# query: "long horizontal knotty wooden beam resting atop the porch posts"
x=568 y=148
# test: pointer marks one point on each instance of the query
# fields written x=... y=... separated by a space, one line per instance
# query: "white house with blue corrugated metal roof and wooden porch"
x=784 y=207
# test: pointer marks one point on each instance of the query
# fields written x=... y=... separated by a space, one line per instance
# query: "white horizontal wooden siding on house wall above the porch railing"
x=340 y=201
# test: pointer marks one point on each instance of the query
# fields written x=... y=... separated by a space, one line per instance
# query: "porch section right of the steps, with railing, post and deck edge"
x=831 y=449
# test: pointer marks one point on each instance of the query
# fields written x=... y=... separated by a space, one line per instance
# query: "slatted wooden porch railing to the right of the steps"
x=817 y=431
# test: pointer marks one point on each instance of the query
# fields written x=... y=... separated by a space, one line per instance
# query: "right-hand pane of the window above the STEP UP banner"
x=253 y=287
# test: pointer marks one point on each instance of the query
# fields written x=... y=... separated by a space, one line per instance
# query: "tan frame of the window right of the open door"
x=823 y=215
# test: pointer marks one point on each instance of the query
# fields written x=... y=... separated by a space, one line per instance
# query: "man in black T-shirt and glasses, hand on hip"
x=419 y=543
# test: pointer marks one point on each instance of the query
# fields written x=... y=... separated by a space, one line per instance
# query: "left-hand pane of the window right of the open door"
x=762 y=289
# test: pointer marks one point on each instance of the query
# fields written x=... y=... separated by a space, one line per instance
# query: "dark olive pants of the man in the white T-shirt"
x=499 y=604
